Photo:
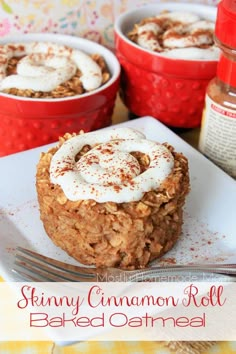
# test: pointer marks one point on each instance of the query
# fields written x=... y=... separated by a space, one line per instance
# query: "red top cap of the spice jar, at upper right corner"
x=225 y=30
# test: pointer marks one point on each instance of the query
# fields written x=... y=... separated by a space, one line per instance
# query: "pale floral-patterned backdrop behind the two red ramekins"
x=92 y=19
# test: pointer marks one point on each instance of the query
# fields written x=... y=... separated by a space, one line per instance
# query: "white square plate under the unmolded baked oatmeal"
x=209 y=217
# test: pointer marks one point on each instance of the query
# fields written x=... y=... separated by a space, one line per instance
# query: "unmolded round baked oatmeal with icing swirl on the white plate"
x=112 y=198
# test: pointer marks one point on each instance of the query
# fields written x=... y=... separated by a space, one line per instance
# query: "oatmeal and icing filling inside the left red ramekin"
x=49 y=70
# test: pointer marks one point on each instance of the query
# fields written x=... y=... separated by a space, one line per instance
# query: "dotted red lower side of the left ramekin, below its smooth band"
x=33 y=130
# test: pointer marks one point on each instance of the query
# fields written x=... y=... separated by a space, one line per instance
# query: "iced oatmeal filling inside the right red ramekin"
x=177 y=35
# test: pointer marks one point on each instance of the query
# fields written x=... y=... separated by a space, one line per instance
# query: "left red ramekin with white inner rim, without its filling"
x=28 y=122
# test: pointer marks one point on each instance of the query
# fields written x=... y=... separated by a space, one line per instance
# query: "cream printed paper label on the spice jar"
x=218 y=135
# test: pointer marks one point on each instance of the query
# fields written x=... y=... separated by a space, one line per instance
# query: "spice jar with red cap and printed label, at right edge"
x=218 y=128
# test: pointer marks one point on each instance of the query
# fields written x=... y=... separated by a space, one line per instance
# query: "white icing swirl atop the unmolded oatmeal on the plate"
x=109 y=172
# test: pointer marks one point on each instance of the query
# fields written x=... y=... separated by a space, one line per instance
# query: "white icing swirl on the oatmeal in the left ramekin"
x=46 y=65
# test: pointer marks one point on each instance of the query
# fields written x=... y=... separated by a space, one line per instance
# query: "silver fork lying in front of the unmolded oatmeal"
x=36 y=267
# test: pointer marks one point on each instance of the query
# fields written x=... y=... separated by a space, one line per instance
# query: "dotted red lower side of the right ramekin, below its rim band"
x=175 y=102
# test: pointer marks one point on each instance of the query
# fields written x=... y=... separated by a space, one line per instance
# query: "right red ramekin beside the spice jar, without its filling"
x=171 y=90
